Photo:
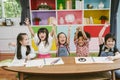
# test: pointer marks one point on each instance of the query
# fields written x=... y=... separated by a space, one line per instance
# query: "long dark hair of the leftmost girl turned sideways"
x=20 y=38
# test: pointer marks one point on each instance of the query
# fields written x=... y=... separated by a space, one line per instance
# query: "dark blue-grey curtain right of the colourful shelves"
x=113 y=20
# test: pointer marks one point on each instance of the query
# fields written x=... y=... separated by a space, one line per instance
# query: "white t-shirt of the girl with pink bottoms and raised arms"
x=42 y=49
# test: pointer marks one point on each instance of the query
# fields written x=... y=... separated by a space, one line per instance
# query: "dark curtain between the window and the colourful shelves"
x=25 y=12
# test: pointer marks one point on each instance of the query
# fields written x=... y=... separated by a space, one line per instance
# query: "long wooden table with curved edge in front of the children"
x=69 y=67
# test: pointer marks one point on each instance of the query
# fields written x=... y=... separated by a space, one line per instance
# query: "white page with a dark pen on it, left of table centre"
x=53 y=61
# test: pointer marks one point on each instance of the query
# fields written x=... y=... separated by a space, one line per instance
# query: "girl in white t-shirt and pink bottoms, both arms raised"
x=43 y=40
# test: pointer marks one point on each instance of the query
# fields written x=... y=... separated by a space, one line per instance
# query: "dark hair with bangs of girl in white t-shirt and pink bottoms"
x=43 y=30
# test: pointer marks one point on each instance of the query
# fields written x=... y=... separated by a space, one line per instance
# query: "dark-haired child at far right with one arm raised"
x=107 y=47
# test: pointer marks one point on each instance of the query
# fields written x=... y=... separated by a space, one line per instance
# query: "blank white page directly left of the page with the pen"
x=35 y=63
